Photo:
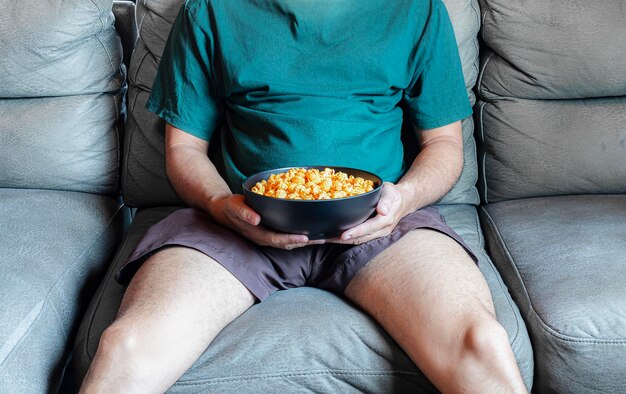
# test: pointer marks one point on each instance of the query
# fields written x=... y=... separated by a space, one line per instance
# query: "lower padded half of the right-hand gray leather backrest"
x=532 y=148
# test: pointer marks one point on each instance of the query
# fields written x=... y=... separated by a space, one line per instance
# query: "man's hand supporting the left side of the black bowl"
x=233 y=213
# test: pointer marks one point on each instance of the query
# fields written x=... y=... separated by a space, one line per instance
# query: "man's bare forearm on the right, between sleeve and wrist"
x=434 y=171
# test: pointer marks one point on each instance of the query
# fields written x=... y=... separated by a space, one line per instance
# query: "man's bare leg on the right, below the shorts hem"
x=432 y=299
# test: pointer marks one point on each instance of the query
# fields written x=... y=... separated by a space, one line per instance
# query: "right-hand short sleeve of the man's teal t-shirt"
x=437 y=95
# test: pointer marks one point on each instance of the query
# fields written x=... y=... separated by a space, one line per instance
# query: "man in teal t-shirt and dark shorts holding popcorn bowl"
x=292 y=83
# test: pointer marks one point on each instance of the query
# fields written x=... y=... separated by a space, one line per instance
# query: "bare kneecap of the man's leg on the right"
x=485 y=341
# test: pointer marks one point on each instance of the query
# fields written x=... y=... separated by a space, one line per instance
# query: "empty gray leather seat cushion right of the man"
x=564 y=260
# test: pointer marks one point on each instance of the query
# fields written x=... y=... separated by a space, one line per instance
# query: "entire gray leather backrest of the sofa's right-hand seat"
x=552 y=90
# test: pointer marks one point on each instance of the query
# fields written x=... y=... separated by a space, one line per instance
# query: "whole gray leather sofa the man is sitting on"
x=551 y=127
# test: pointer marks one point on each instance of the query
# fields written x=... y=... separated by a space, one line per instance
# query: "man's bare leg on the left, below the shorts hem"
x=176 y=304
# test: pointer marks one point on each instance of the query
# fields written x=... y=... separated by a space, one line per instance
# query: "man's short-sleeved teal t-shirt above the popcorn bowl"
x=309 y=82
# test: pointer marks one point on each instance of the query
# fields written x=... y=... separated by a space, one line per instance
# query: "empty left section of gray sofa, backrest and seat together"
x=62 y=84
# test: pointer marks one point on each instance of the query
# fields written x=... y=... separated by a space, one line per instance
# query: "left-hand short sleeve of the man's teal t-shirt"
x=184 y=92
